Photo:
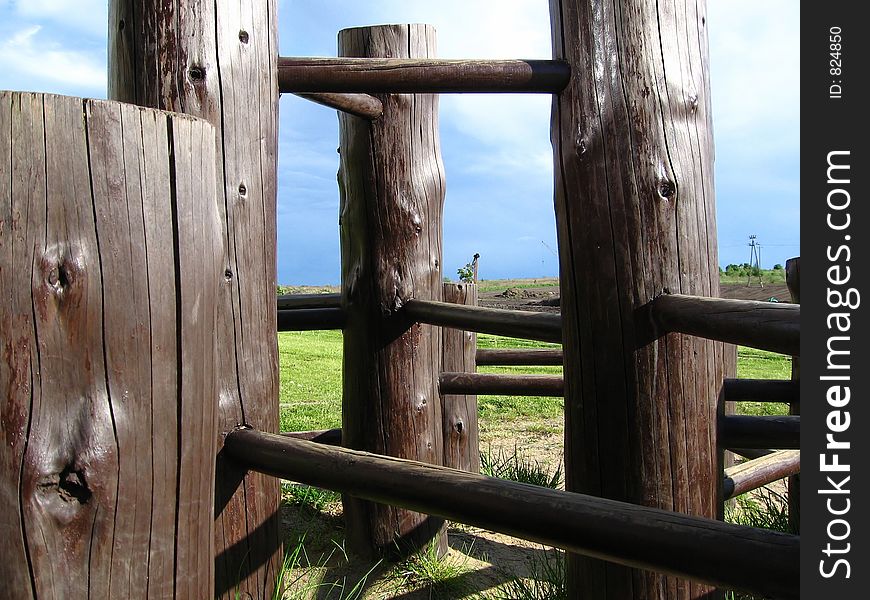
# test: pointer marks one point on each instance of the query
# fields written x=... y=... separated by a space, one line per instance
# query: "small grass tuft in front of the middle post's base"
x=442 y=577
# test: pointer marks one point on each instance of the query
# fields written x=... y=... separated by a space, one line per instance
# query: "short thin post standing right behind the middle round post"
x=459 y=412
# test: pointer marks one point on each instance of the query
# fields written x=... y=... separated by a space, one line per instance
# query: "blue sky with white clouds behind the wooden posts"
x=496 y=148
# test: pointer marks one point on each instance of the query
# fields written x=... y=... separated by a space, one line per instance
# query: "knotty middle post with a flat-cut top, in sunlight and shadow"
x=392 y=194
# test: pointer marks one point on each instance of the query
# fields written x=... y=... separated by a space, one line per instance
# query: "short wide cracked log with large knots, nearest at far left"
x=110 y=263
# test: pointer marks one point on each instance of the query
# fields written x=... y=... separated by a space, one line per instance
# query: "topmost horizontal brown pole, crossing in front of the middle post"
x=414 y=75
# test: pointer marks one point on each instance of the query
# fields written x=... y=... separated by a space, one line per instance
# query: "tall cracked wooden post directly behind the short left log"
x=218 y=60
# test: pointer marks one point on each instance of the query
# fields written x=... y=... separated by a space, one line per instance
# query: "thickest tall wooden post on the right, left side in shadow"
x=635 y=218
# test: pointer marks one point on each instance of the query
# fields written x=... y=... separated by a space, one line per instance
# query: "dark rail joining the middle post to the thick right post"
x=544 y=327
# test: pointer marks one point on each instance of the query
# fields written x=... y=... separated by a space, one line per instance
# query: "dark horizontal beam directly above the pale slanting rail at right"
x=741 y=431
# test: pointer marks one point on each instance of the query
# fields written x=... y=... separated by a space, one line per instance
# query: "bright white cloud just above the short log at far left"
x=27 y=56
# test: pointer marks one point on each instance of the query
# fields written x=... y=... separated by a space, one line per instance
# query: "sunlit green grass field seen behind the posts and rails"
x=310 y=371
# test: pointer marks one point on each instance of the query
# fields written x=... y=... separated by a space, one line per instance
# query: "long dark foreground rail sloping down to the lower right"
x=647 y=538
